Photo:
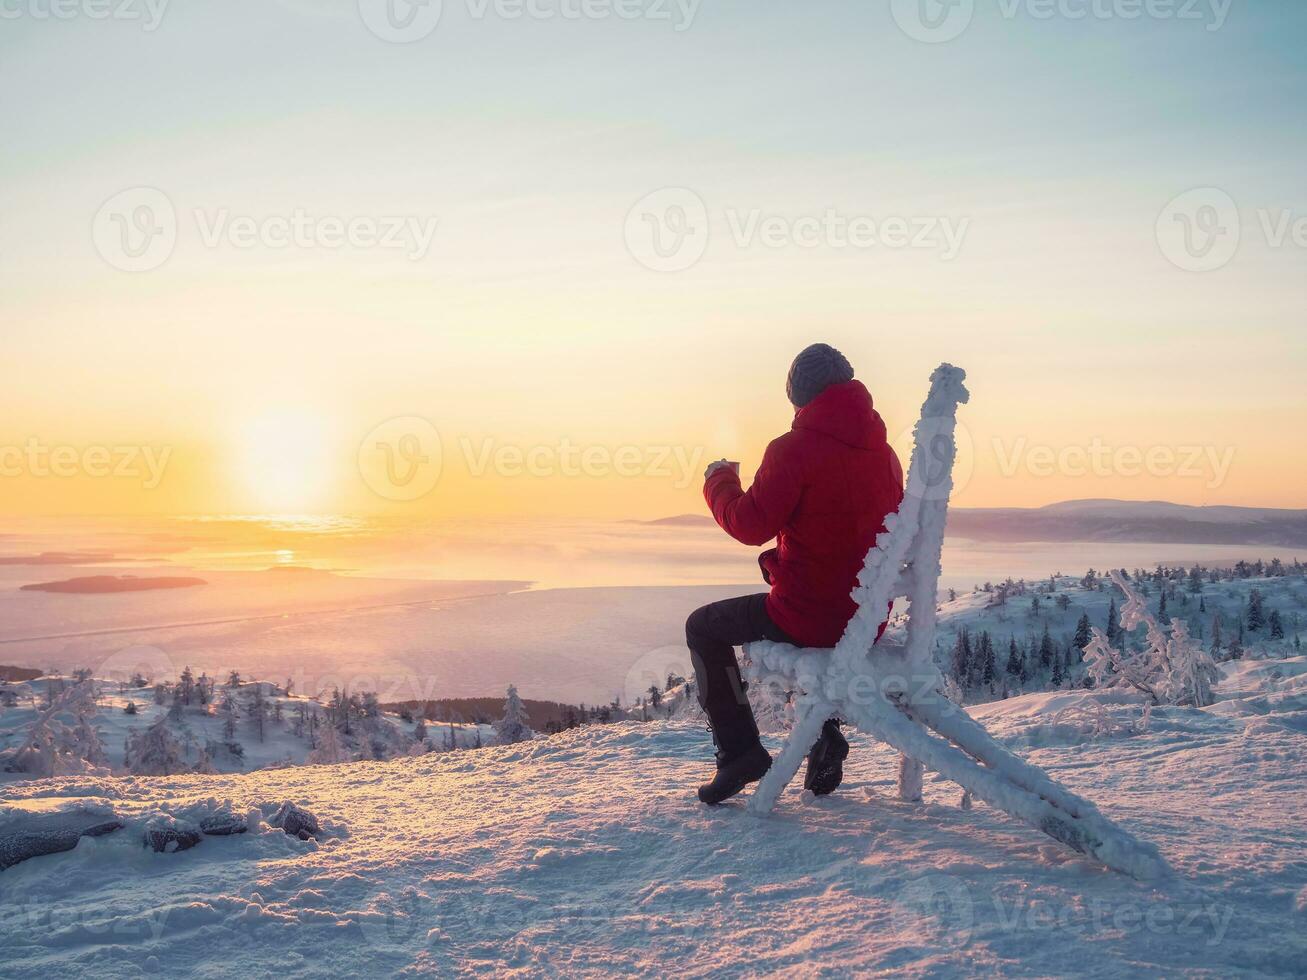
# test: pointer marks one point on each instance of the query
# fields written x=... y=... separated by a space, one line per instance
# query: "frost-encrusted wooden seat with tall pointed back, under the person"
x=895 y=692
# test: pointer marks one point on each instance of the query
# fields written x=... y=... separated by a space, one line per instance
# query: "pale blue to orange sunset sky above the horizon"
x=1049 y=148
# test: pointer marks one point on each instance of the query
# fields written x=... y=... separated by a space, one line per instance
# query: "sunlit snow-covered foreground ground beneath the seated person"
x=586 y=854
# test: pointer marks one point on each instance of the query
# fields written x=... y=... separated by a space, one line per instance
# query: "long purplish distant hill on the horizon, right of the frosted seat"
x=1133 y=522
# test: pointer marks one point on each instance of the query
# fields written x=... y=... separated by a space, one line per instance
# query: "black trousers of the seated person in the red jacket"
x=713 y=633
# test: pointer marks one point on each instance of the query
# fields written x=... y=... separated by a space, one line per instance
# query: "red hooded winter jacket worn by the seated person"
x=824 y=491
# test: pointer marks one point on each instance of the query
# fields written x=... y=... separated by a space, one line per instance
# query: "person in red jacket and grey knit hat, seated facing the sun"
x=824 y=491
